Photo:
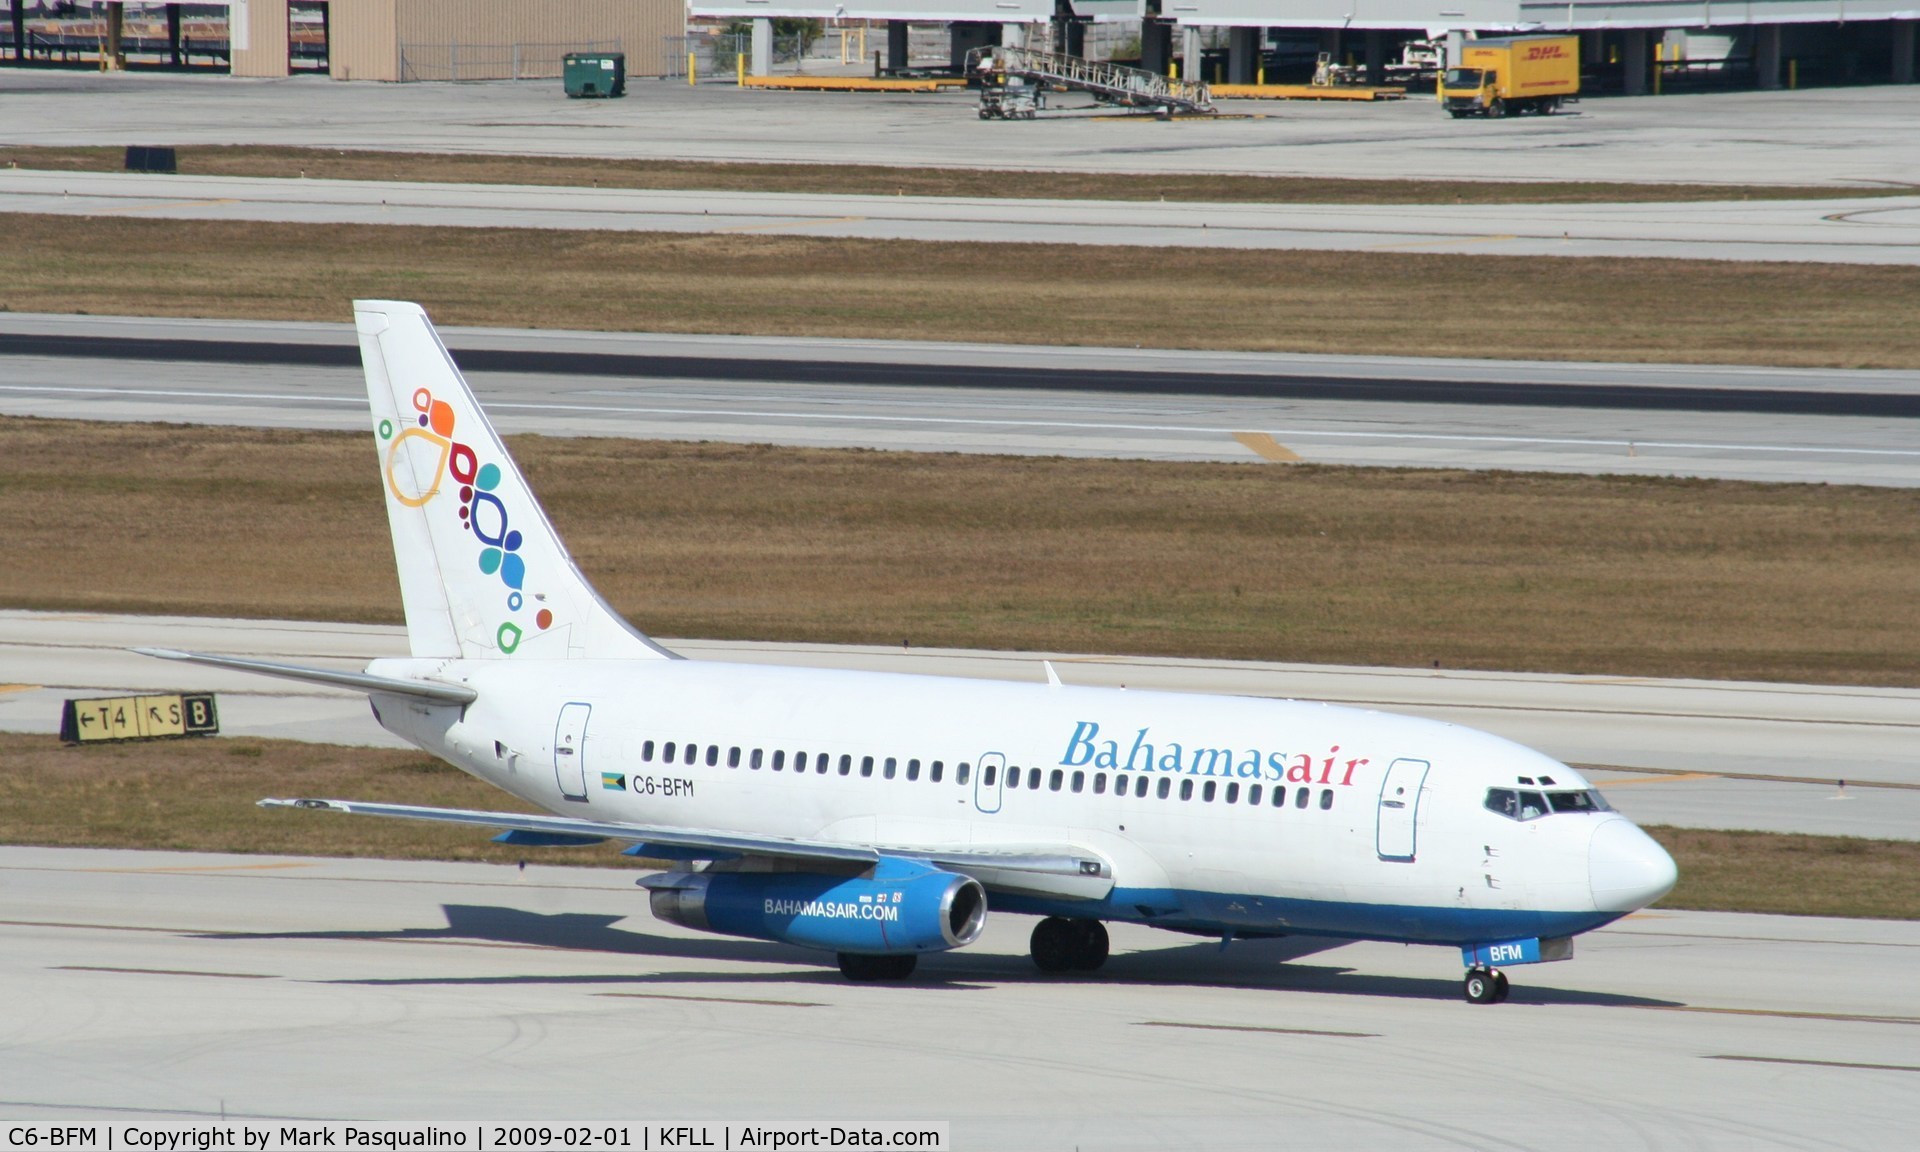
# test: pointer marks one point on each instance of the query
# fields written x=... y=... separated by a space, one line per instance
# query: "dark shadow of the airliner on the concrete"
x=1268 y=965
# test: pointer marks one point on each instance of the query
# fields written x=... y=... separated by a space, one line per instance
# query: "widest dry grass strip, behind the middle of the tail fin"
x=1291 y=564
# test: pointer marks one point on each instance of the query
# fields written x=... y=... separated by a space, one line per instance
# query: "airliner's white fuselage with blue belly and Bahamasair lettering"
x=1381 y=830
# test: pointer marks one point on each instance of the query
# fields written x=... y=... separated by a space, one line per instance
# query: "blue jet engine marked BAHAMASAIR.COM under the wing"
x=898 y=909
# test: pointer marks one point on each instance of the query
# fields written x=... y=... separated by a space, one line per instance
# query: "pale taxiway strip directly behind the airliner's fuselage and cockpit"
x=1671 y=752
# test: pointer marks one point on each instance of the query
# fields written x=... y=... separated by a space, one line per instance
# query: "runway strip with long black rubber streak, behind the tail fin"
x=1740 y=423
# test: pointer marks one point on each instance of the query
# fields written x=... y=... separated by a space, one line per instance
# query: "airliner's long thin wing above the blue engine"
x=1042 y=871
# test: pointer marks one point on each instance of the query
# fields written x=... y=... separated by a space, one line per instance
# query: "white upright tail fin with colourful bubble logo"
x=483 y=573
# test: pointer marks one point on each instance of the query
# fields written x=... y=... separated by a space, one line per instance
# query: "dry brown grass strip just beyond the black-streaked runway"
x=1337 y=302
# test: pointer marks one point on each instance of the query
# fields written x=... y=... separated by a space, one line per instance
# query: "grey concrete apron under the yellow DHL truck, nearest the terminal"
x=1835 y=137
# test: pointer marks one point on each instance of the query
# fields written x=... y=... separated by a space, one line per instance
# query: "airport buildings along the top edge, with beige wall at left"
x=1627 y=45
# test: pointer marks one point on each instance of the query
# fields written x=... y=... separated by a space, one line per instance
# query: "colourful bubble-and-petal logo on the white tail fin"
x=481 y=510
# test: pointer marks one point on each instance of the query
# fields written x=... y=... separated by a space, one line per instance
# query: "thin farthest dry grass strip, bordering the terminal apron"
x=327 y=164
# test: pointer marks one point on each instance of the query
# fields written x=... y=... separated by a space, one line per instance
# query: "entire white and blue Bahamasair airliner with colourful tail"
x=880 y=815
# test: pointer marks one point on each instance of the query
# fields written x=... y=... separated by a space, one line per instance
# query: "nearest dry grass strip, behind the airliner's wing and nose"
x=197 y=796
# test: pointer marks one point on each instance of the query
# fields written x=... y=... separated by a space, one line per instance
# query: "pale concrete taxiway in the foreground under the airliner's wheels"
x=178 y=986
